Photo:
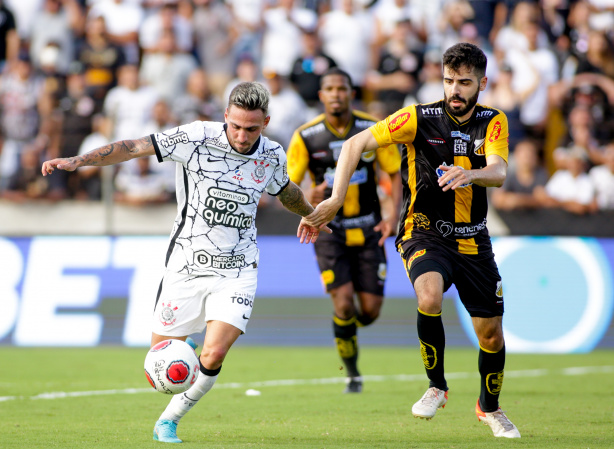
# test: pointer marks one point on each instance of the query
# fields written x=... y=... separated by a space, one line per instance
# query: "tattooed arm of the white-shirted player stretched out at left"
x=110 y=154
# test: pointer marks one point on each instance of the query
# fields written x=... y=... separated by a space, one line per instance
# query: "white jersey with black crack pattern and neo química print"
x=218 y=190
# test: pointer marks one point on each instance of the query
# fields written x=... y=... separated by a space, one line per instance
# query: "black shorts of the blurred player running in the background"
x=364 y=266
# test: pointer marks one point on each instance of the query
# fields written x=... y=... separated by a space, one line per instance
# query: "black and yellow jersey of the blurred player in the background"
x=315 y=147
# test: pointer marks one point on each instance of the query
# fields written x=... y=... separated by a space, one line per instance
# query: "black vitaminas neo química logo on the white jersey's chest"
x=220 y=208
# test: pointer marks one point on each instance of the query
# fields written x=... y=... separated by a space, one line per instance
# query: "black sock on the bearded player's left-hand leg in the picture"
x=432 y=345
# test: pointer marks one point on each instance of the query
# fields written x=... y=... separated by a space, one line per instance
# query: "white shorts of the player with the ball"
x=186 y=302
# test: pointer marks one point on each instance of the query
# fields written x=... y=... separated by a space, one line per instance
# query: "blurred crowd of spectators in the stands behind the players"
x=77 y=74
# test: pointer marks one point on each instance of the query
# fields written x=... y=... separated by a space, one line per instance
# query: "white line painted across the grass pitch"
x=570 y=371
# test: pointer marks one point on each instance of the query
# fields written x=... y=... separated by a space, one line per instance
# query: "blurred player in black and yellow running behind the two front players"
x=352 y=260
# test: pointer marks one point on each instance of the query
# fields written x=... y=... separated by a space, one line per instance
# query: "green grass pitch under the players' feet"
x=74 y=398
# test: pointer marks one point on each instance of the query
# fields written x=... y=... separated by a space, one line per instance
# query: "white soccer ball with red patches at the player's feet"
x=172 y=366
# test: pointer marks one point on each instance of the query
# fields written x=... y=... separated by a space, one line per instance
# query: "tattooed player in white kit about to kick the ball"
x=212 y=259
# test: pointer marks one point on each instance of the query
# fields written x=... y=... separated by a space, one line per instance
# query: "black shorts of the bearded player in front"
x=476 y=277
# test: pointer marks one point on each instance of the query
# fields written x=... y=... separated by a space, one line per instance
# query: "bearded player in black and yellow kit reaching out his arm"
x=453 y=150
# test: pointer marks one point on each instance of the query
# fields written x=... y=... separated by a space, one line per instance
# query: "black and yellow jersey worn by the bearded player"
x=432 y=137
